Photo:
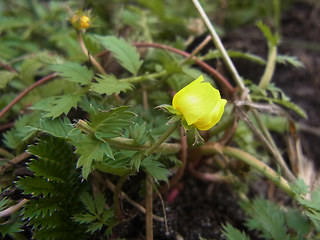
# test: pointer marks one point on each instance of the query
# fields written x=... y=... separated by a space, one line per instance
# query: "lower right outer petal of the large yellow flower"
x=213 y=117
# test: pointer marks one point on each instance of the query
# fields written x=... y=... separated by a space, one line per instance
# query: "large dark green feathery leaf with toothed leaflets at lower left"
x=54 y=187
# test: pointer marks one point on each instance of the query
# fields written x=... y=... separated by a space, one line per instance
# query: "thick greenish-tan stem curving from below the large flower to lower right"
x=253 y=162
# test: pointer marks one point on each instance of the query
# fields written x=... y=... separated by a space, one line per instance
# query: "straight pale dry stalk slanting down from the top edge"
x=219 y=46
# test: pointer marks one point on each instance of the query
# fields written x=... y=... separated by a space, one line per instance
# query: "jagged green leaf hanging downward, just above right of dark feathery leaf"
x=91 y=149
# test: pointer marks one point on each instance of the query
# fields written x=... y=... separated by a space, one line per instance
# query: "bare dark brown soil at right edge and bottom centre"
x=201 y=207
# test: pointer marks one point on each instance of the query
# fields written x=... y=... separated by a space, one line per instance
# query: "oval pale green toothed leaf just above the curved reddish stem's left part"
x=74 y=72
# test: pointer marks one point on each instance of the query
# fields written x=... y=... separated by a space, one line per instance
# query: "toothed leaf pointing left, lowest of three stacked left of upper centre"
x=55 y=106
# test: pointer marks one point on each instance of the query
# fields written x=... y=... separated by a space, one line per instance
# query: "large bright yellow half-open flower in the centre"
x=200 y=104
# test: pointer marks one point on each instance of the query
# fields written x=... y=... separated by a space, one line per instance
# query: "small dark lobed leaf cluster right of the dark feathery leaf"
x=96 y=216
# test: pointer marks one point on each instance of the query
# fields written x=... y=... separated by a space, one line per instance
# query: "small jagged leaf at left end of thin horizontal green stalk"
x=109 y=85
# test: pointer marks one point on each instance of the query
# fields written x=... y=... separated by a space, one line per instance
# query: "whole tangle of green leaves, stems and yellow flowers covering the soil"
x=100 y=119
